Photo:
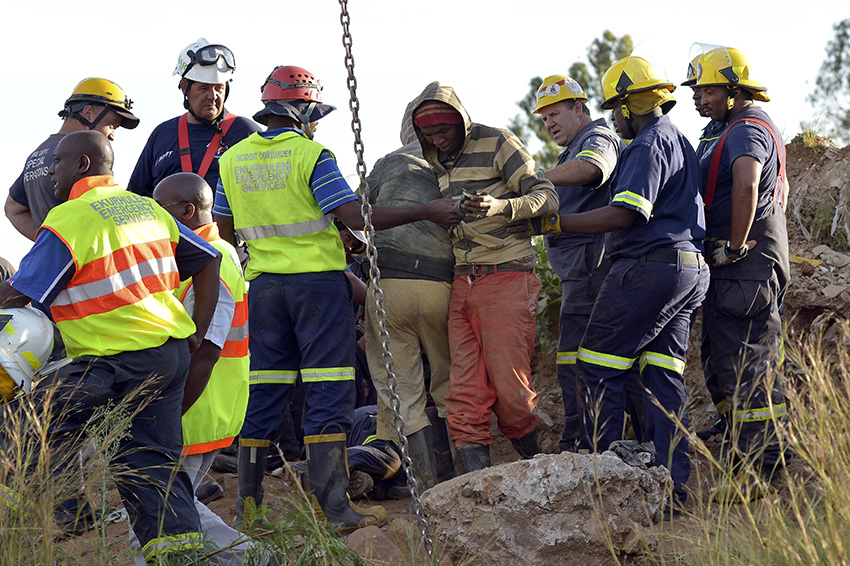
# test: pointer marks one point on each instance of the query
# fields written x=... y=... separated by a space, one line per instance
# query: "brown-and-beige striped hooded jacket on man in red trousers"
x=491 y=161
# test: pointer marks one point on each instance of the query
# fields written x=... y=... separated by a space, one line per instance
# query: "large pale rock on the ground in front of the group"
x=553 y=509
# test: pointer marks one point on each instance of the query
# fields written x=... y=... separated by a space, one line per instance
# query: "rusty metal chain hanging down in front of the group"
x=375 y=279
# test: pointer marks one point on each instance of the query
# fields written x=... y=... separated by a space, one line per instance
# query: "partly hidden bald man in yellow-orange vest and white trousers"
x=216 y=393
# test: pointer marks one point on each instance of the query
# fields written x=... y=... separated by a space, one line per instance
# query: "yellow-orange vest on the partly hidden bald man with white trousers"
x=217 y=416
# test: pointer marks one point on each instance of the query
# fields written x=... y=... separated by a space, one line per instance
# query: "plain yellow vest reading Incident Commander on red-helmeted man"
x=267 y=184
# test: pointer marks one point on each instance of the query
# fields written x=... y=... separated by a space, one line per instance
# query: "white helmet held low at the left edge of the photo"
x=26 y=341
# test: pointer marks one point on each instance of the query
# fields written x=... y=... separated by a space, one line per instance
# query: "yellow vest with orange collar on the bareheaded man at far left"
x=121 y=297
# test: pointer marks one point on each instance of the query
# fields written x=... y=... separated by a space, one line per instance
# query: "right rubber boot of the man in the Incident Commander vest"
x=328 y=465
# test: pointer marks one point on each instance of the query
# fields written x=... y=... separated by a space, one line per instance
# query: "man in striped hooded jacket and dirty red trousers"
x=494 y=291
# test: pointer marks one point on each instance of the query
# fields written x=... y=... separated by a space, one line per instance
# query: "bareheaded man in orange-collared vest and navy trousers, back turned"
x=128 y=253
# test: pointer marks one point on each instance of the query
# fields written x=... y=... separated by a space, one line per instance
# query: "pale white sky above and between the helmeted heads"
x=487 y=50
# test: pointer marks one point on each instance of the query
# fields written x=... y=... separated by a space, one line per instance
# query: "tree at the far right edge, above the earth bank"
x=832 y=91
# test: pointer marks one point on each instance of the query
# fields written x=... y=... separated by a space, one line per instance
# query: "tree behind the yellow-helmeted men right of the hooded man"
x=601 y=53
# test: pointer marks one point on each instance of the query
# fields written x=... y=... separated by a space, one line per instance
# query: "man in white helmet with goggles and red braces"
x=194 y=142
